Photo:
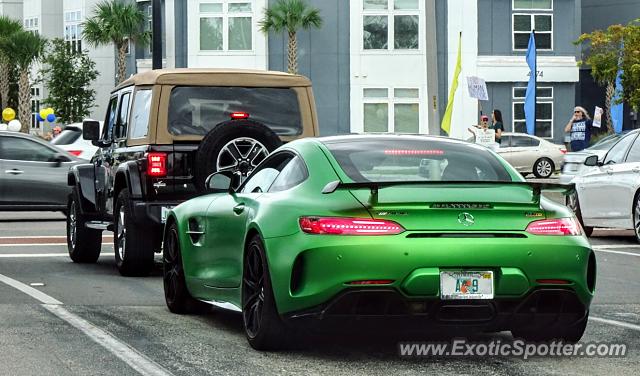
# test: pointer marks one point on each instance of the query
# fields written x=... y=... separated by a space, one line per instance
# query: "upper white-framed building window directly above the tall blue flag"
x=539 y=18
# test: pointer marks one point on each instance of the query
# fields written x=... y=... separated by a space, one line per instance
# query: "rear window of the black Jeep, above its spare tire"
x=196 y=110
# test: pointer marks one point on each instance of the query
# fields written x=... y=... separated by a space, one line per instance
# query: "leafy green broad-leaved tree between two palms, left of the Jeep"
x=68 y=76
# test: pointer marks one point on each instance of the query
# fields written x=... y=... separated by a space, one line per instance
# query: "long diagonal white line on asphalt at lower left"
x=132 y=357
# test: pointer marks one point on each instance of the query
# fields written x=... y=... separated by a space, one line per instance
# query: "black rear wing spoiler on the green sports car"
x=374 y=187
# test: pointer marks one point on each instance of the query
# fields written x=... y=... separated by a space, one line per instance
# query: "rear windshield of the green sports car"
x=404 y=159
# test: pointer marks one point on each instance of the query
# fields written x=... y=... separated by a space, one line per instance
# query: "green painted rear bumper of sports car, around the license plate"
x=308 y=271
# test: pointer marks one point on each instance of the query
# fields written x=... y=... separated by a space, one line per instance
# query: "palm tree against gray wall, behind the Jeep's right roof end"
x=291 y=15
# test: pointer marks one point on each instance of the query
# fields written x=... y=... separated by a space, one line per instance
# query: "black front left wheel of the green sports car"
x=176 y=295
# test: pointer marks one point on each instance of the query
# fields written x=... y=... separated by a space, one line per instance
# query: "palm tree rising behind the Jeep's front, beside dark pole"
x=116 y=22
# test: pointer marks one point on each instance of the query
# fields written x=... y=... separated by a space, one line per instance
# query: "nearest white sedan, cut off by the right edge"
x=608 y=193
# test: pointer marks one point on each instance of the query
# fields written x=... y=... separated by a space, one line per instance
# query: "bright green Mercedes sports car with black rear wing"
x=399 y=232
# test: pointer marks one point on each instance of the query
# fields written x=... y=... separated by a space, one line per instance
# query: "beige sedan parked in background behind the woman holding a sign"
x=531 y=154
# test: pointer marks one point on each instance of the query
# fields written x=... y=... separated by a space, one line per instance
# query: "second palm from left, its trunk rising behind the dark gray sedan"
x=24 y=48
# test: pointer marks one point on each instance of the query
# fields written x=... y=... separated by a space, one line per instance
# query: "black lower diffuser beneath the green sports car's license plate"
x=389 y=309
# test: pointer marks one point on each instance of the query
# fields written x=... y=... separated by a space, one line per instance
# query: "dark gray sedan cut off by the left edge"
x=33 y=173
